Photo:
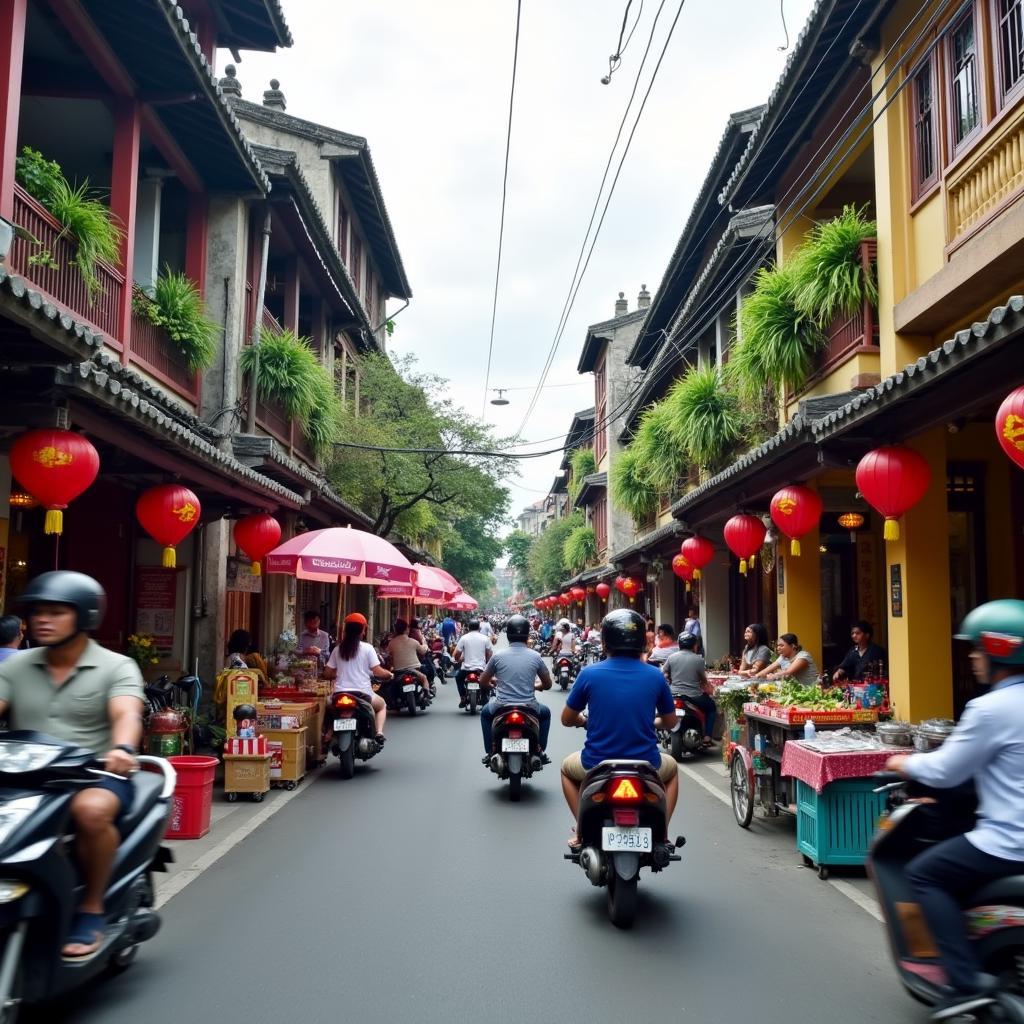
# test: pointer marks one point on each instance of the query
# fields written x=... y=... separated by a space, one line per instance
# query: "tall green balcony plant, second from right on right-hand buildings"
x=778 y=339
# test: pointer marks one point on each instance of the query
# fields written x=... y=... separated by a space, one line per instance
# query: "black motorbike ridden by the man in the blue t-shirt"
x=623 y=827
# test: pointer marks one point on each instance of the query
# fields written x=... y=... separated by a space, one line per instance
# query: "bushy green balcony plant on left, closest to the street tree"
x=290 y=374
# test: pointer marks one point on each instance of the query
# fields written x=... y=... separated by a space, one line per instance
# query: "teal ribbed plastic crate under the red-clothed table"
x=836 y=827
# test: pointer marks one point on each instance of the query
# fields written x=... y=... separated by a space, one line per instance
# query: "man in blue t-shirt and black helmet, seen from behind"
x=623 y=697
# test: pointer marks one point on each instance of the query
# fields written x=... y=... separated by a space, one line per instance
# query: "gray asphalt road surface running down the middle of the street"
x=417 y=892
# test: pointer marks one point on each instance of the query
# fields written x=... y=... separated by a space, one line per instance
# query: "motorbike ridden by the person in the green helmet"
x=994 y=916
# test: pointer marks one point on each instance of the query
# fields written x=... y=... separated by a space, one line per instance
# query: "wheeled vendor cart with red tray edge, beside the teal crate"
x=755 y=769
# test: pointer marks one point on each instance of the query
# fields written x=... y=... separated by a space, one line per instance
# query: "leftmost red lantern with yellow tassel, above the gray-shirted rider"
x=55 y=466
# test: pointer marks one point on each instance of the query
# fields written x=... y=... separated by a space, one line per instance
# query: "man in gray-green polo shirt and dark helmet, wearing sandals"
x=70 y=688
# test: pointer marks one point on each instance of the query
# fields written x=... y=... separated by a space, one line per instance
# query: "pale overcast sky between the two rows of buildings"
x=428 y=83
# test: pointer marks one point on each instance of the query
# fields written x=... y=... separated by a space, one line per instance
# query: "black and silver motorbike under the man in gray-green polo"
x=40 y=891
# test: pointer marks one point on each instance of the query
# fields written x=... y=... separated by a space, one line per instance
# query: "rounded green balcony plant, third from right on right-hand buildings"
x=704 y=417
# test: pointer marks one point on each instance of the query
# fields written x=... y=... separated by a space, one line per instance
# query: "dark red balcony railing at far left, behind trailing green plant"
x=63 y=283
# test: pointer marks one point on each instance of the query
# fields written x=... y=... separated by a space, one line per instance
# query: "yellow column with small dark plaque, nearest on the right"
x=920 y=639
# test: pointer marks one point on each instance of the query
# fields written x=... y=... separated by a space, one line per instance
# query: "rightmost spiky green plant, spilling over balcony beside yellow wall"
x=828 y=278
